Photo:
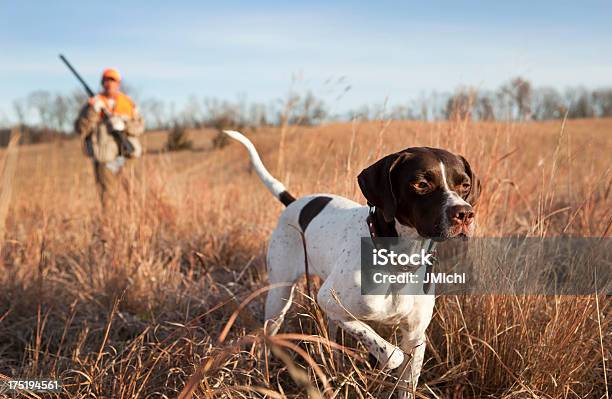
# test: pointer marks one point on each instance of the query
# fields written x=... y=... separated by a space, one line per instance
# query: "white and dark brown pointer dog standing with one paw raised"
x=418 y=192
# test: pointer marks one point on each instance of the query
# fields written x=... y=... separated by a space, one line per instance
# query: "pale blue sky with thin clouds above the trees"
x=385 y=51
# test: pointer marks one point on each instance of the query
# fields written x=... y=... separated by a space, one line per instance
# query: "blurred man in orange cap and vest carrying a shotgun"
x=100 y=136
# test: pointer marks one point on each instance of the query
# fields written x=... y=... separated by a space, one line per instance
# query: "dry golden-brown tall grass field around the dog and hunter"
x=132 y=303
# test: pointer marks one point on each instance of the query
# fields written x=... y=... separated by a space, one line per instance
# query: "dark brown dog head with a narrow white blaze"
x=428 y=189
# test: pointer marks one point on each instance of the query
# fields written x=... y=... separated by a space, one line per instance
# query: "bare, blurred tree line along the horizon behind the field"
x=43 y=115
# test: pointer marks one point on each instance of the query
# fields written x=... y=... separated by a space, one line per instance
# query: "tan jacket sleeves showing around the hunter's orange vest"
x=96 y=140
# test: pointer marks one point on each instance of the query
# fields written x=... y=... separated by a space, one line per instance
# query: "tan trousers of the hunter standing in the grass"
x=110 y=185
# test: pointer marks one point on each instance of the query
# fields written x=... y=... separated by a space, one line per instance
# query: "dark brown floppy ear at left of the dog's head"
x=375 y=184
